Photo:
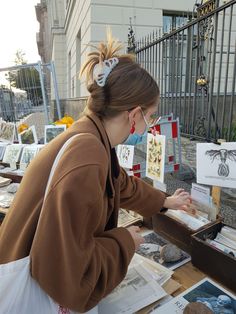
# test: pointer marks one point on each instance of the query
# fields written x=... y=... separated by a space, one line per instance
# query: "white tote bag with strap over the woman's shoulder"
x=19 y=292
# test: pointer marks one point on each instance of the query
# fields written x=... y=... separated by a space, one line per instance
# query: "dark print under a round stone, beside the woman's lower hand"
x=152 y=250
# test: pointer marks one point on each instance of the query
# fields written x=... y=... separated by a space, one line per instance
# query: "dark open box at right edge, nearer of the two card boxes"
x=213 y=262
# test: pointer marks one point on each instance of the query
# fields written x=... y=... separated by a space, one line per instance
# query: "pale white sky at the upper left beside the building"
x=18 y=28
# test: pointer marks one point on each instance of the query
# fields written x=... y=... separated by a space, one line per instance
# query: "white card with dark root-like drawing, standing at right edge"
x=216 y=164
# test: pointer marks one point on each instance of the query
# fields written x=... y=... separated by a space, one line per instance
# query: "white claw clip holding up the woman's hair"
x=102 y=70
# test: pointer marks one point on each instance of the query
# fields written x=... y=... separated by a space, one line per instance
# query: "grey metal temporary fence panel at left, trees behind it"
x=25 y=96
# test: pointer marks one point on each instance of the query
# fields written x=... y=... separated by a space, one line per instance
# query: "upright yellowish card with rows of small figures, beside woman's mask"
x=156 y=157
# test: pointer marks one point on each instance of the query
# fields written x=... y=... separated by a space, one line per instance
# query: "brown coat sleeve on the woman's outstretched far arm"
x=139 y=196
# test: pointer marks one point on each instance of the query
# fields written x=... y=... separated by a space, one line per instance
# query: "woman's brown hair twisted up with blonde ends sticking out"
x=127 y=86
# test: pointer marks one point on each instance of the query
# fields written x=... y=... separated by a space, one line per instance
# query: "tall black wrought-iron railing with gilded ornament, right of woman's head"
x=195 y=67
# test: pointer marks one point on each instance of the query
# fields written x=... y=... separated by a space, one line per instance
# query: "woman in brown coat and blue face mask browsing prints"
x=79 y=255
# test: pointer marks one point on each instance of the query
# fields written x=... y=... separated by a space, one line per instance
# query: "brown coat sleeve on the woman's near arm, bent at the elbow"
x=73 y=259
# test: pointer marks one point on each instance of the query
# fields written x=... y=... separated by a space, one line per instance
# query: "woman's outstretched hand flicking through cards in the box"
x=179 y=200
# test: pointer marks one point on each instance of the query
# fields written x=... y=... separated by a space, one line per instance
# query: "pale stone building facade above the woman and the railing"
x=68 y=27
